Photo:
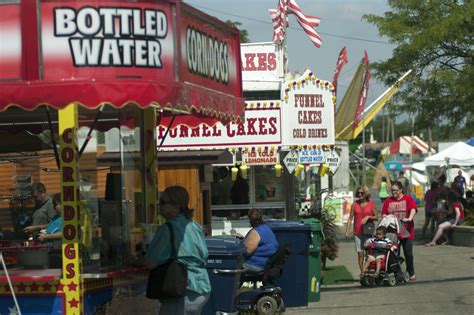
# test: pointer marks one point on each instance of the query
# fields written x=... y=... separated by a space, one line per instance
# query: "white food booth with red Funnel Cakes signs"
x=277 y=140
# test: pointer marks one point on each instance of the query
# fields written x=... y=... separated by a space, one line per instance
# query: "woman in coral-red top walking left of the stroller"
x=362 y=210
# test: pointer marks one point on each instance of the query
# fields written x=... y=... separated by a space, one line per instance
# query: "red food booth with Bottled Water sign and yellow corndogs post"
x=78 y=80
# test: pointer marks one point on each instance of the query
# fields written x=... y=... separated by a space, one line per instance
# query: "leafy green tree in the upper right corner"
x=434 y=38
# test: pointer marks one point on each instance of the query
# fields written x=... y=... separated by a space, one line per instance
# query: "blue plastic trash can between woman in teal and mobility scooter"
x=224 y=266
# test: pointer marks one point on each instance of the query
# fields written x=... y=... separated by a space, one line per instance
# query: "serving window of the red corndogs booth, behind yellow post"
x=111 y=190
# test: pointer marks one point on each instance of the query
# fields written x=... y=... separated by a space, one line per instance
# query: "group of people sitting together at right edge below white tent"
x=444 y=207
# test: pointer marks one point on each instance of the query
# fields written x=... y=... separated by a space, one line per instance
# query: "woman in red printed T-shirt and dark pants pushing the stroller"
x=404 y=208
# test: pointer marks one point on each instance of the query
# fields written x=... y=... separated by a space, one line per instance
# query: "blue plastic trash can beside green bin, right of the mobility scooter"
x=294 y=280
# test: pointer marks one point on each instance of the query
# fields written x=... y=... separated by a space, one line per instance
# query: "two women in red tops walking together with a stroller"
x=363 y=211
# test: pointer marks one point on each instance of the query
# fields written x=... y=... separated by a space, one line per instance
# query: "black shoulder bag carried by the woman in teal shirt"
x=169 y=280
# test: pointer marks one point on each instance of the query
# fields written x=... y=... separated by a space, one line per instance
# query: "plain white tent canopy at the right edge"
x=460 y=154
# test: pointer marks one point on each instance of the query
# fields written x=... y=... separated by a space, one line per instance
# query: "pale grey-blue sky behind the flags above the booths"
x=341 y=20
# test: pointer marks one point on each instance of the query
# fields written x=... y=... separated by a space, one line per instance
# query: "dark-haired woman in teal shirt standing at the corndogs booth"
x=191 y=250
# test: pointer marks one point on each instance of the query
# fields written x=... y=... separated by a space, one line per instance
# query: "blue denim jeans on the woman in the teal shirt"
x=191 y=304
